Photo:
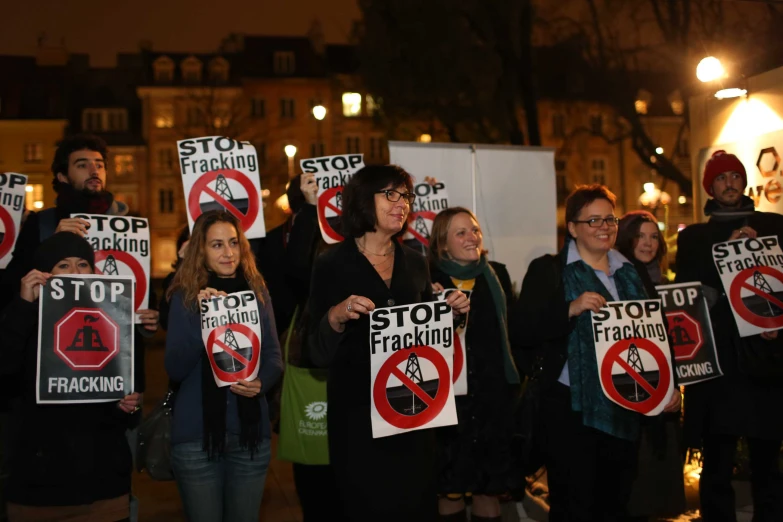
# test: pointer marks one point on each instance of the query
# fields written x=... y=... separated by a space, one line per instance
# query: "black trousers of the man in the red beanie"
x=715 y=491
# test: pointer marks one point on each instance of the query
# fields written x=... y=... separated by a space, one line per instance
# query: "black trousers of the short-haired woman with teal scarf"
x=590 y=473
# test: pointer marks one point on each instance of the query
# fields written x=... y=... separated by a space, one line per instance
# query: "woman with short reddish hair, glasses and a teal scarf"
x=590 y=443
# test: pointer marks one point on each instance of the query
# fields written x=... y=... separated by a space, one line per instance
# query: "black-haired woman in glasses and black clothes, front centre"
x=389 y=478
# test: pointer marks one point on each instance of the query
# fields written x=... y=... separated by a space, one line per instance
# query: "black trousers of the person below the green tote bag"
x=318 y=494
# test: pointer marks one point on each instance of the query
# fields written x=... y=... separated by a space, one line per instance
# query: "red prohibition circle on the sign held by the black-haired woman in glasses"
x=441 y=396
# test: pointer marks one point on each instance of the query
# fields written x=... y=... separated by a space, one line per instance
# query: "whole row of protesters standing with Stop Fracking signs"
x=533 y=397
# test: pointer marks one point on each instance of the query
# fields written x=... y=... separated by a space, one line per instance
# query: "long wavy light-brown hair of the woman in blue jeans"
x=193 y=273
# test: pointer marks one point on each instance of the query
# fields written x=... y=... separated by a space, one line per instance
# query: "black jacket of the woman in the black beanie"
x=59 y=455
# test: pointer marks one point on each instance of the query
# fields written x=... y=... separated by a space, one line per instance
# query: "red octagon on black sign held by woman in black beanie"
x=86 y=339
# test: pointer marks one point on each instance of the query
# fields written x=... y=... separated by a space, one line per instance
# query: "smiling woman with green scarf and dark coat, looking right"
x=475 y=455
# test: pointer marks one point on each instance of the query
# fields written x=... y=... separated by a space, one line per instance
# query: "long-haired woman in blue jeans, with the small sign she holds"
x=221 y=435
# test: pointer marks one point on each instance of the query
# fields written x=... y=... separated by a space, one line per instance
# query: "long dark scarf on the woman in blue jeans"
x=213 y=398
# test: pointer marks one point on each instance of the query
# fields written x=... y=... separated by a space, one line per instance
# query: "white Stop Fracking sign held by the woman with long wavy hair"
x=231 y=330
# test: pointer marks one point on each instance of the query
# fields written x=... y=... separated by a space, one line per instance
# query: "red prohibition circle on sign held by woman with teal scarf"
x=664 y=376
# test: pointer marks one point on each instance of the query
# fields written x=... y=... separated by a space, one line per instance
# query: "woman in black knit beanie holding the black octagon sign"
x=71 y=461
